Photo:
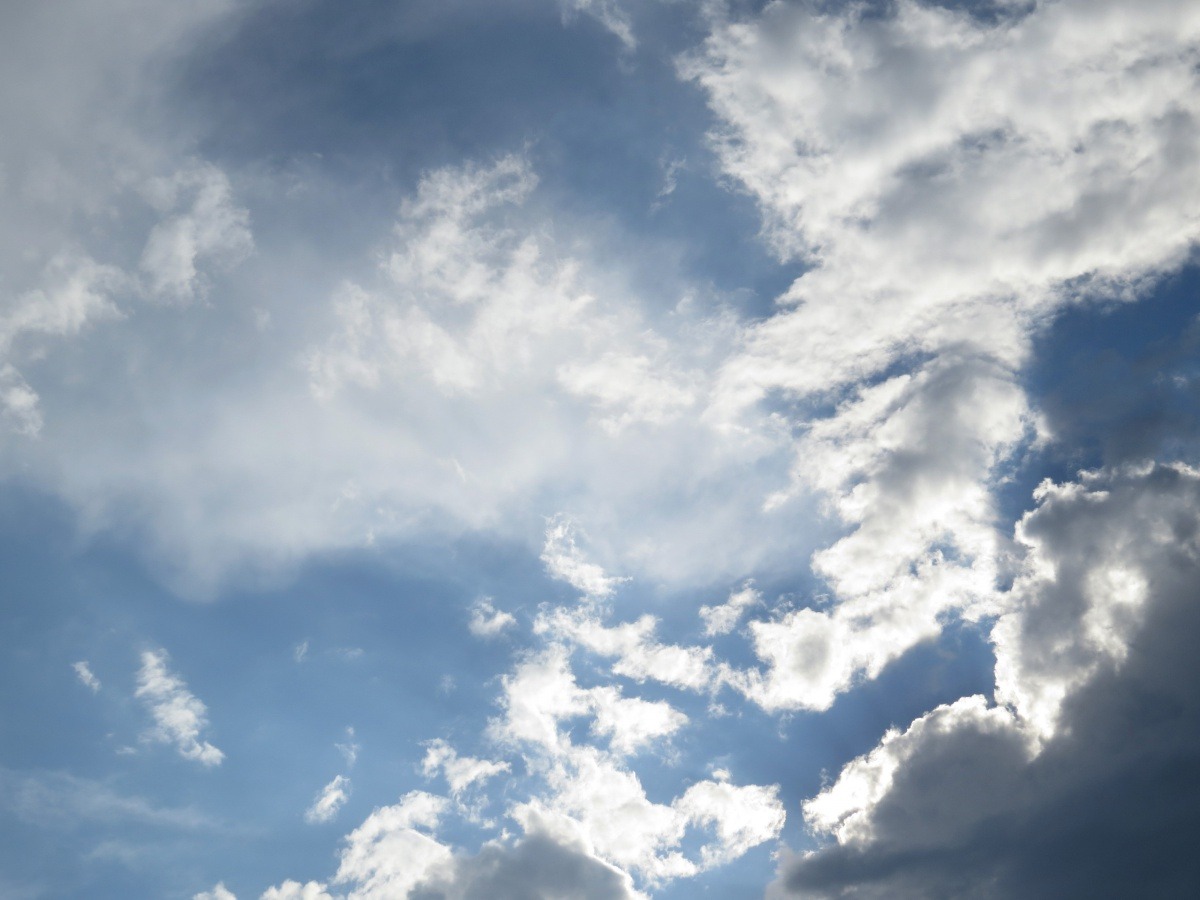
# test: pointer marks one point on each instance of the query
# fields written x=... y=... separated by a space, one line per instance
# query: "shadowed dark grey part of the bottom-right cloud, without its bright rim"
x=1112 y=806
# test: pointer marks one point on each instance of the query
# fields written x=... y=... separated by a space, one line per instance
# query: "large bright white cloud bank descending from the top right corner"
x=947 y=203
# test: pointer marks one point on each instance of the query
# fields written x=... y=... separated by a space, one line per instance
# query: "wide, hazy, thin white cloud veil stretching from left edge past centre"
x=483 y=353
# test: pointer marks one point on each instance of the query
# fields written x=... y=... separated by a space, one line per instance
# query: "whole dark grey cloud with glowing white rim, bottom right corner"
x=1045 y=793
